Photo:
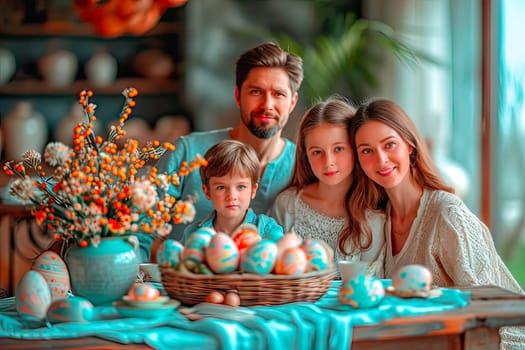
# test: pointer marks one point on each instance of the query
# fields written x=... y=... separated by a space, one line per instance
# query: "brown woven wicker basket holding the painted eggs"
x=253 y=289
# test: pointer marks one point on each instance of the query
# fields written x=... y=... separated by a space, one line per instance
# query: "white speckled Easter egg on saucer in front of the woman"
x=412 y=278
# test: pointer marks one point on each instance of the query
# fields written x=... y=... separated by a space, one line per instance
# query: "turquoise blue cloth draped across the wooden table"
x=325 y=324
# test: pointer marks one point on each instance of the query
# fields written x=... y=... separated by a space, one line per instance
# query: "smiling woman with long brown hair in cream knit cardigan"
x=425 y=222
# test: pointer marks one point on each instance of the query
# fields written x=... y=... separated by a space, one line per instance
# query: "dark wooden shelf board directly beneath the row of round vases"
x=146 y=86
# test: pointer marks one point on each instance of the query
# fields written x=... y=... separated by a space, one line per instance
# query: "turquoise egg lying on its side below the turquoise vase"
x=71 y=309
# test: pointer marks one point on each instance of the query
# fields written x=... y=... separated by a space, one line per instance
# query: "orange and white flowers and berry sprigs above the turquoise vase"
x=96 y=190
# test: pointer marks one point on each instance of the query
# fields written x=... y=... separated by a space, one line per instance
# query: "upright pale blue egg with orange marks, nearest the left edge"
x=32 y=296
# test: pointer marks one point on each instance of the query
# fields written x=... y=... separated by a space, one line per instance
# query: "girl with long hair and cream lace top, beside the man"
x=314 y=204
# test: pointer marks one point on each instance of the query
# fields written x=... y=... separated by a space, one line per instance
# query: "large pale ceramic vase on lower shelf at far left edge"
x=24 y=129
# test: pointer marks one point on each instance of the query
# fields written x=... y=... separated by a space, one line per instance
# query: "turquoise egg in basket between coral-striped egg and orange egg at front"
x=260 y=257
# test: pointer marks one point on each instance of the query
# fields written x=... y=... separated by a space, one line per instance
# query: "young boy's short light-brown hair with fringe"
x=231 y=156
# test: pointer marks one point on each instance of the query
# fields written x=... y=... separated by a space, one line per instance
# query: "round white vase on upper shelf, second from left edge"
x=58 y=68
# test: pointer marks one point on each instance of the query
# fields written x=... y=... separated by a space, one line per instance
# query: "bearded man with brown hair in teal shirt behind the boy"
x=267 y=81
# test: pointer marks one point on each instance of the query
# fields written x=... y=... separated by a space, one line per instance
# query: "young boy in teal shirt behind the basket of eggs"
x=230 y=181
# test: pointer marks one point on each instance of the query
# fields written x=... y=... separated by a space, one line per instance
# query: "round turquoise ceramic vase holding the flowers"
x=105 y=273
